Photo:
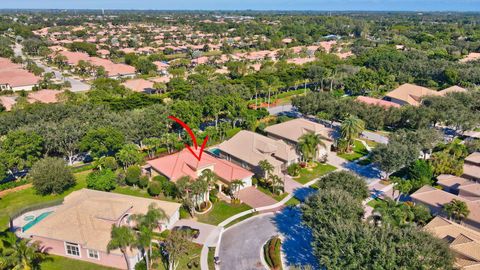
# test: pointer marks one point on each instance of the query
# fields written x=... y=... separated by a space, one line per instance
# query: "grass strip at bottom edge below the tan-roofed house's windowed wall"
x=60 y=263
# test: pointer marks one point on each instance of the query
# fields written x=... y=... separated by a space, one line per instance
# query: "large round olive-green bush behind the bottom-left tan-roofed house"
x=51 y=175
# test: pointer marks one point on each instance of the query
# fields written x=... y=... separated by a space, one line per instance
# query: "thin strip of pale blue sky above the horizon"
x=397 y=5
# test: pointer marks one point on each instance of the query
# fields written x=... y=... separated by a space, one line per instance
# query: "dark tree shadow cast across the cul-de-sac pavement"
x=296 y=245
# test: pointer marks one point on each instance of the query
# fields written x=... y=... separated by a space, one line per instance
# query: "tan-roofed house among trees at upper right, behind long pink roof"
x=409 y=94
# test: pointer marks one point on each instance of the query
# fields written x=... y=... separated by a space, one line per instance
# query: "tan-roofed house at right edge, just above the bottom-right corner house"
x=435 y=199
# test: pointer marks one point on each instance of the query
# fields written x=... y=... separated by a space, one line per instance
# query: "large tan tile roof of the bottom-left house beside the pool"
x=86 y=217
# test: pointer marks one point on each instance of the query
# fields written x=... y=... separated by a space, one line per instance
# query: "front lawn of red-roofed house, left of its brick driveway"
x=222 y=210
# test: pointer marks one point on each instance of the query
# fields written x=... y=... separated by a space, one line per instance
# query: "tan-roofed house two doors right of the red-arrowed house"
x=291 y=132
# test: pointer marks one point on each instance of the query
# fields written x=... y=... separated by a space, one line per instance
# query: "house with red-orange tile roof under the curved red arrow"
x=183 y=163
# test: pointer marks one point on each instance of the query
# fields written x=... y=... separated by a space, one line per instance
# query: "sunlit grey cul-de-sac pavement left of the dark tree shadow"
x=240 y=246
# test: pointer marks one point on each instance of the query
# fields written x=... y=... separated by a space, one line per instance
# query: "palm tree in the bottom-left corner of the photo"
x=21 y=254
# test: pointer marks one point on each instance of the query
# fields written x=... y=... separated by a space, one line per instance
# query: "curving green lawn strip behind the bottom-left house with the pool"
x=15 y=201
